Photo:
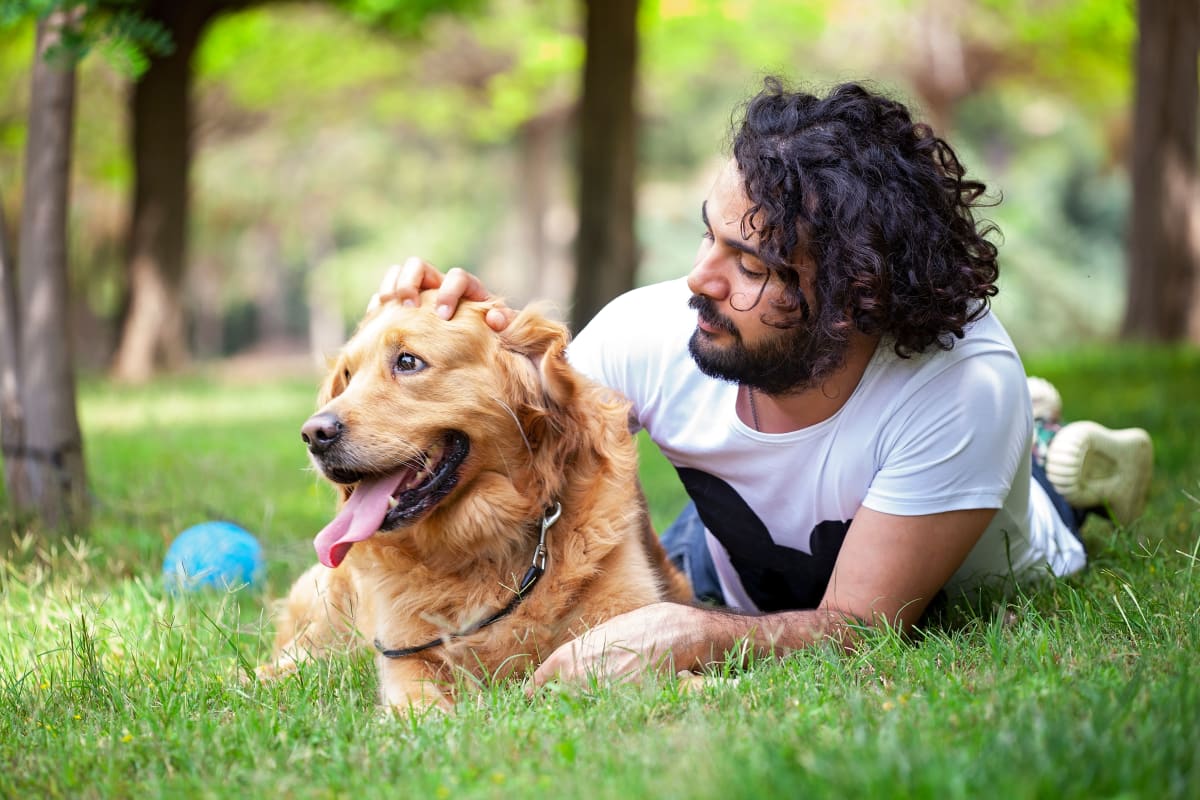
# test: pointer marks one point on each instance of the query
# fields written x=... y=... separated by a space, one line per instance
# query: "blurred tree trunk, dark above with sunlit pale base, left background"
x=154 y=333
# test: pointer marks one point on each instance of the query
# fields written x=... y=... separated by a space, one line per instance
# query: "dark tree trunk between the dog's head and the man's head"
x=607 y=246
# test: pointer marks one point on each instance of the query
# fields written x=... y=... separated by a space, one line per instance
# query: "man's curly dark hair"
x=880 y=207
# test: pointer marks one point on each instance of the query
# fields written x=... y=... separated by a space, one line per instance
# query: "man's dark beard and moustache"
x=783 y=364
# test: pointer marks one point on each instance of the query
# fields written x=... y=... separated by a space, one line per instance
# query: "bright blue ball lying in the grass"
x=213 y=555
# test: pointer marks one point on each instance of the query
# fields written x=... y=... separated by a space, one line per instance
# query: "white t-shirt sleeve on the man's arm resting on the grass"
x=957 y=442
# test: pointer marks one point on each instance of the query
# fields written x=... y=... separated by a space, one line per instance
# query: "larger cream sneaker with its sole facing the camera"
x=1093 y=466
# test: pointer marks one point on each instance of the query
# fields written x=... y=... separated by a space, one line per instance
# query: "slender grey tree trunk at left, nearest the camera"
x=51 y=456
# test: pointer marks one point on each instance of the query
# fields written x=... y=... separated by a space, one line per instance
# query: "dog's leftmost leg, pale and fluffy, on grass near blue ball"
x=319 y=617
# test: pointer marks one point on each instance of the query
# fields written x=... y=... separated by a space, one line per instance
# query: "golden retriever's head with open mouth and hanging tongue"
x=423 y=418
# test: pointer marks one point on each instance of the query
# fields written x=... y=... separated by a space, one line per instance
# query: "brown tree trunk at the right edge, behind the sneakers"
x=1165 y=242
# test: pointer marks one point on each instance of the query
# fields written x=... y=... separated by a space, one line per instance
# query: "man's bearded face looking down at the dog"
x=733 y=291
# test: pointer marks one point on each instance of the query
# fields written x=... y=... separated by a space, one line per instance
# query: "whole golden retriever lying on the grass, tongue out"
x=469 y=462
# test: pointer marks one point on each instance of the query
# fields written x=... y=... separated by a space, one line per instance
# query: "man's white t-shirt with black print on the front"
x=941 y=431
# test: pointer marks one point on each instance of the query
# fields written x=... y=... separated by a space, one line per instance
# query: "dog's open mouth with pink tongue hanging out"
x=388 y=502
